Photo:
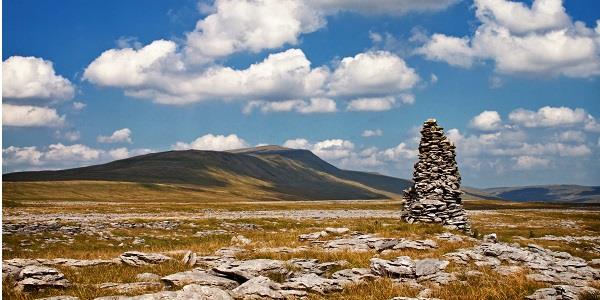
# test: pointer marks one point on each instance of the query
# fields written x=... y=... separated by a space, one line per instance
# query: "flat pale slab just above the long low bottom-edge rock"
x=199 y=277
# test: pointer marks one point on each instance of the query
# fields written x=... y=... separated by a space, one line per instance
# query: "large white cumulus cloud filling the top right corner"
x=541 y=40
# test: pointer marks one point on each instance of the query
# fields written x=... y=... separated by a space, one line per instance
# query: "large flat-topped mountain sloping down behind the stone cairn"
x=281 y=173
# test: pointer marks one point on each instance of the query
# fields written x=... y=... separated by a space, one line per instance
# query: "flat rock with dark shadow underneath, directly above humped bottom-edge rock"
x=248 y=269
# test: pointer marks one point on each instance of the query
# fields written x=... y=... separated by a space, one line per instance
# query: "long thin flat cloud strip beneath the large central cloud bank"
x=314 y=105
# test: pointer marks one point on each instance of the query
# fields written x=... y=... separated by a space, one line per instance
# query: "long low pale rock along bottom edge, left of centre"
x=192 y=291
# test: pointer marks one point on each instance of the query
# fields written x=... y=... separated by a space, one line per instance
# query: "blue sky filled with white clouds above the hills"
x=515 y=84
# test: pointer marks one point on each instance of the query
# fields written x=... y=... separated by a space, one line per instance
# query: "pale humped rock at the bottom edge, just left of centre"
x=258 y=288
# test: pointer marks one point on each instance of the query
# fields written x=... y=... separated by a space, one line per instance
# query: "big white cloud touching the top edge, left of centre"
x=242 y=25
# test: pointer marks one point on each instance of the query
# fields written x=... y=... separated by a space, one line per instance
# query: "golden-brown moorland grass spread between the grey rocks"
x=521 y=223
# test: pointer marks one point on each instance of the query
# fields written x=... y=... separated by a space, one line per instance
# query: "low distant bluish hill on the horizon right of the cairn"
x=548 y=193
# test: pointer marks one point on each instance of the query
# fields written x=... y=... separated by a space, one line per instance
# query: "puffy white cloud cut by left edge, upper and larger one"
x=32 y=77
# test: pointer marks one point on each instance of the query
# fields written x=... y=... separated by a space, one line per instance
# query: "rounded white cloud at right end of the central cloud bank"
x=372 y=73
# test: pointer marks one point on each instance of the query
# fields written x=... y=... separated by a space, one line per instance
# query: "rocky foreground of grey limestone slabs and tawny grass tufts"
x=299 y=254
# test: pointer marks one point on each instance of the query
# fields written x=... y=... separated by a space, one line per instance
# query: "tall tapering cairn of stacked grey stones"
x=435 y=195
